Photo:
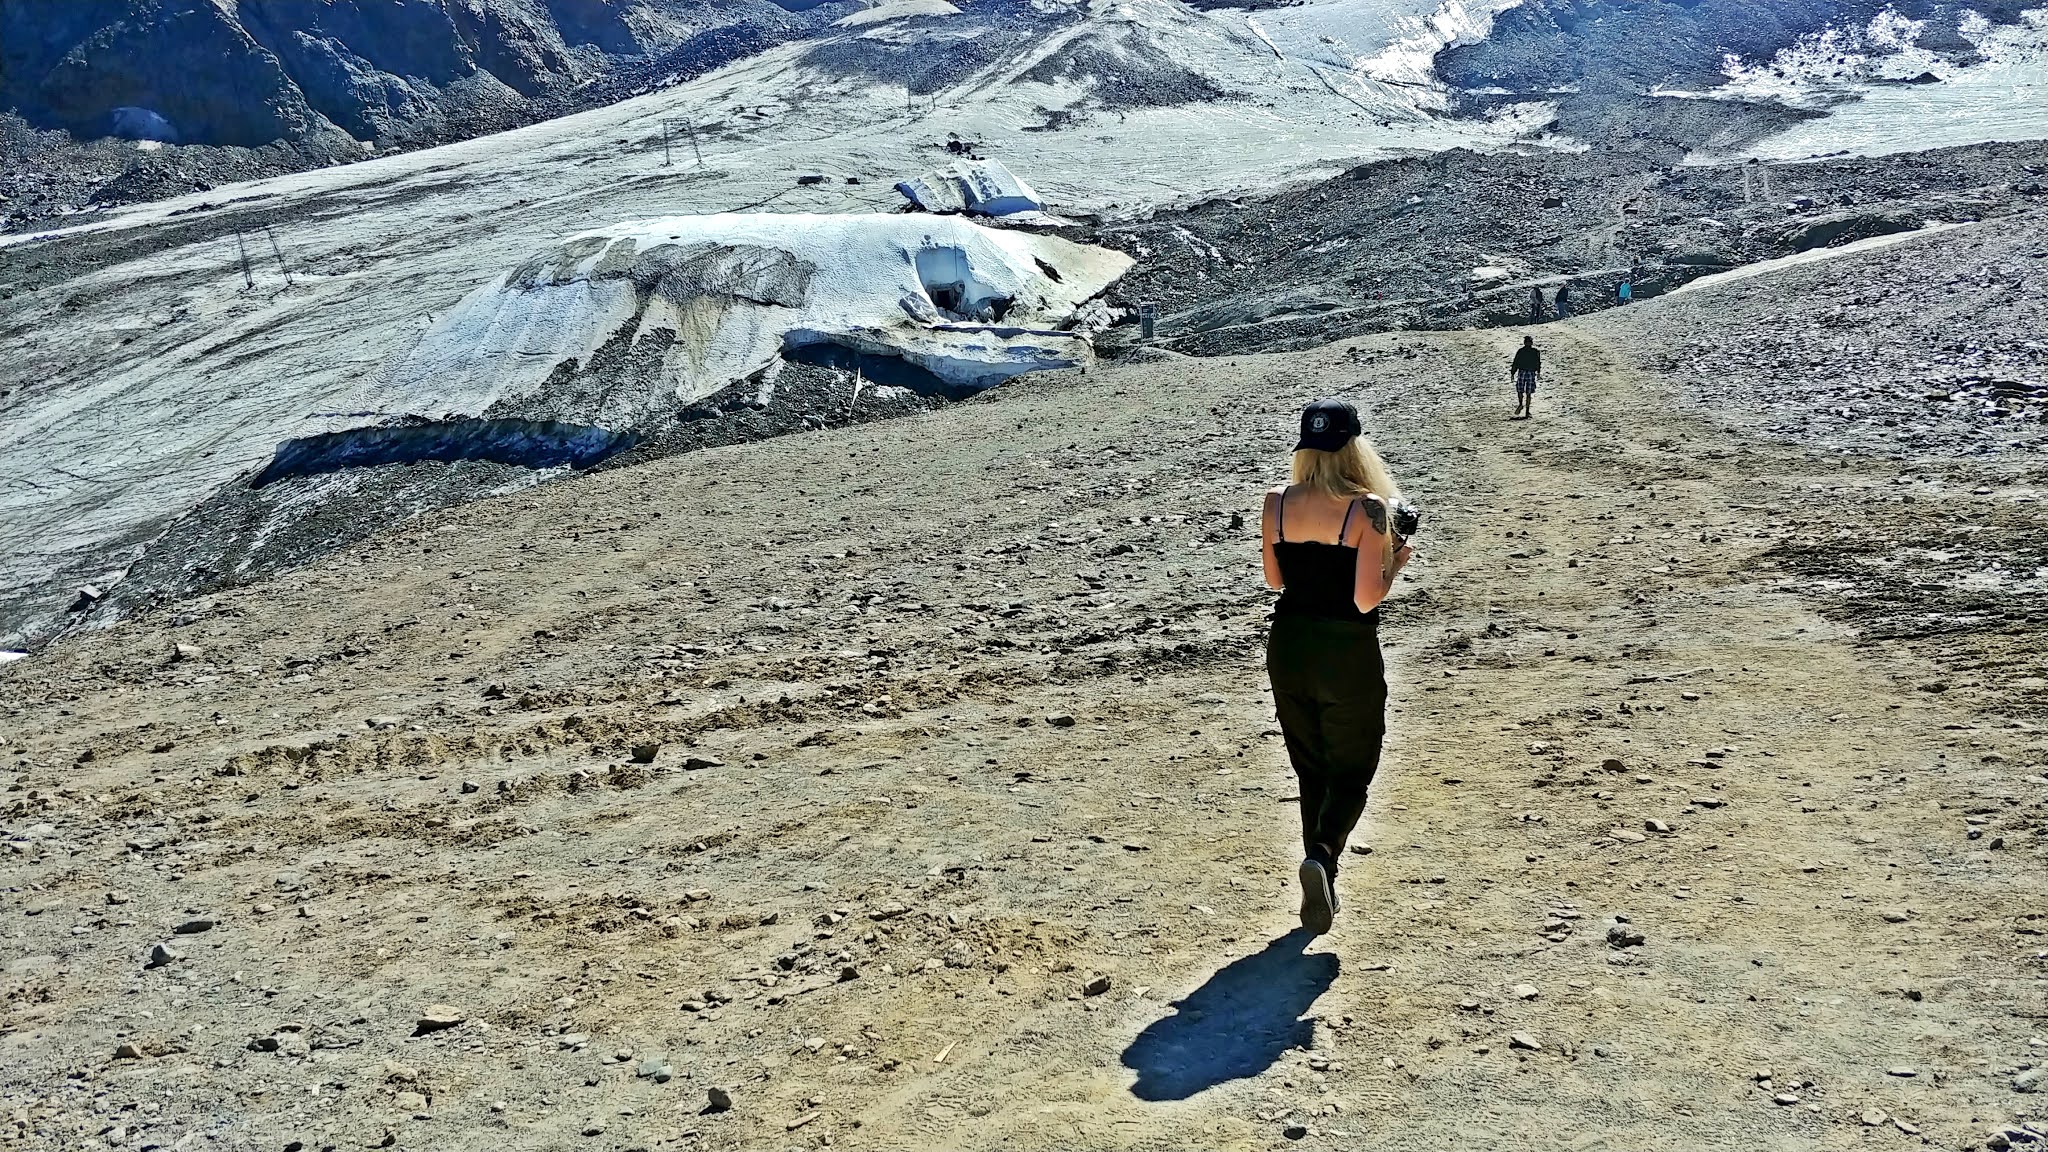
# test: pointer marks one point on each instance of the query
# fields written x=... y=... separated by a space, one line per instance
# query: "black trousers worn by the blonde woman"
x=1330 y=692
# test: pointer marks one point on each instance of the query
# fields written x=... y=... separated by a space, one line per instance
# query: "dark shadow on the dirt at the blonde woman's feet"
x=1234 y=1026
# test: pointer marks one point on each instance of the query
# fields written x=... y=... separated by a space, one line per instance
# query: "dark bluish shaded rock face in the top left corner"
x=267 y=71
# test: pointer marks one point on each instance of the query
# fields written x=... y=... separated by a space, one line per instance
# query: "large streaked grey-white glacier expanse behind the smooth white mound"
x=159 y=374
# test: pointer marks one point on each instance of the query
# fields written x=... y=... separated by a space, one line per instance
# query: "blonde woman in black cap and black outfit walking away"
x=1332 y=552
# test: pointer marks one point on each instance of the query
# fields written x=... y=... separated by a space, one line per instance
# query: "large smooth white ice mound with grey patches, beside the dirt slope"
x=738 y=292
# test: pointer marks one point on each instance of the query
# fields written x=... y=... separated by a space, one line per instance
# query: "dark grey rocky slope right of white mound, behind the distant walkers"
x=1461 y=239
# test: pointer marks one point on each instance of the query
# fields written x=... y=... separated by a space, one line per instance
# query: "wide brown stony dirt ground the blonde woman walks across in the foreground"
x=980 y=716
